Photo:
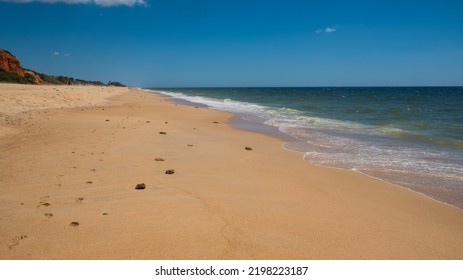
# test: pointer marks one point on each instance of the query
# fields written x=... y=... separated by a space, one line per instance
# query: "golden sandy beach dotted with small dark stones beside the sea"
x=68 y=177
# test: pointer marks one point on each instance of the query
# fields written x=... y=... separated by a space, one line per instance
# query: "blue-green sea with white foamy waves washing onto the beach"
x=408 y=136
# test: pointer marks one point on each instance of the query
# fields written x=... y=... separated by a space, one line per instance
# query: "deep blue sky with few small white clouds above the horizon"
x=178 y=43
